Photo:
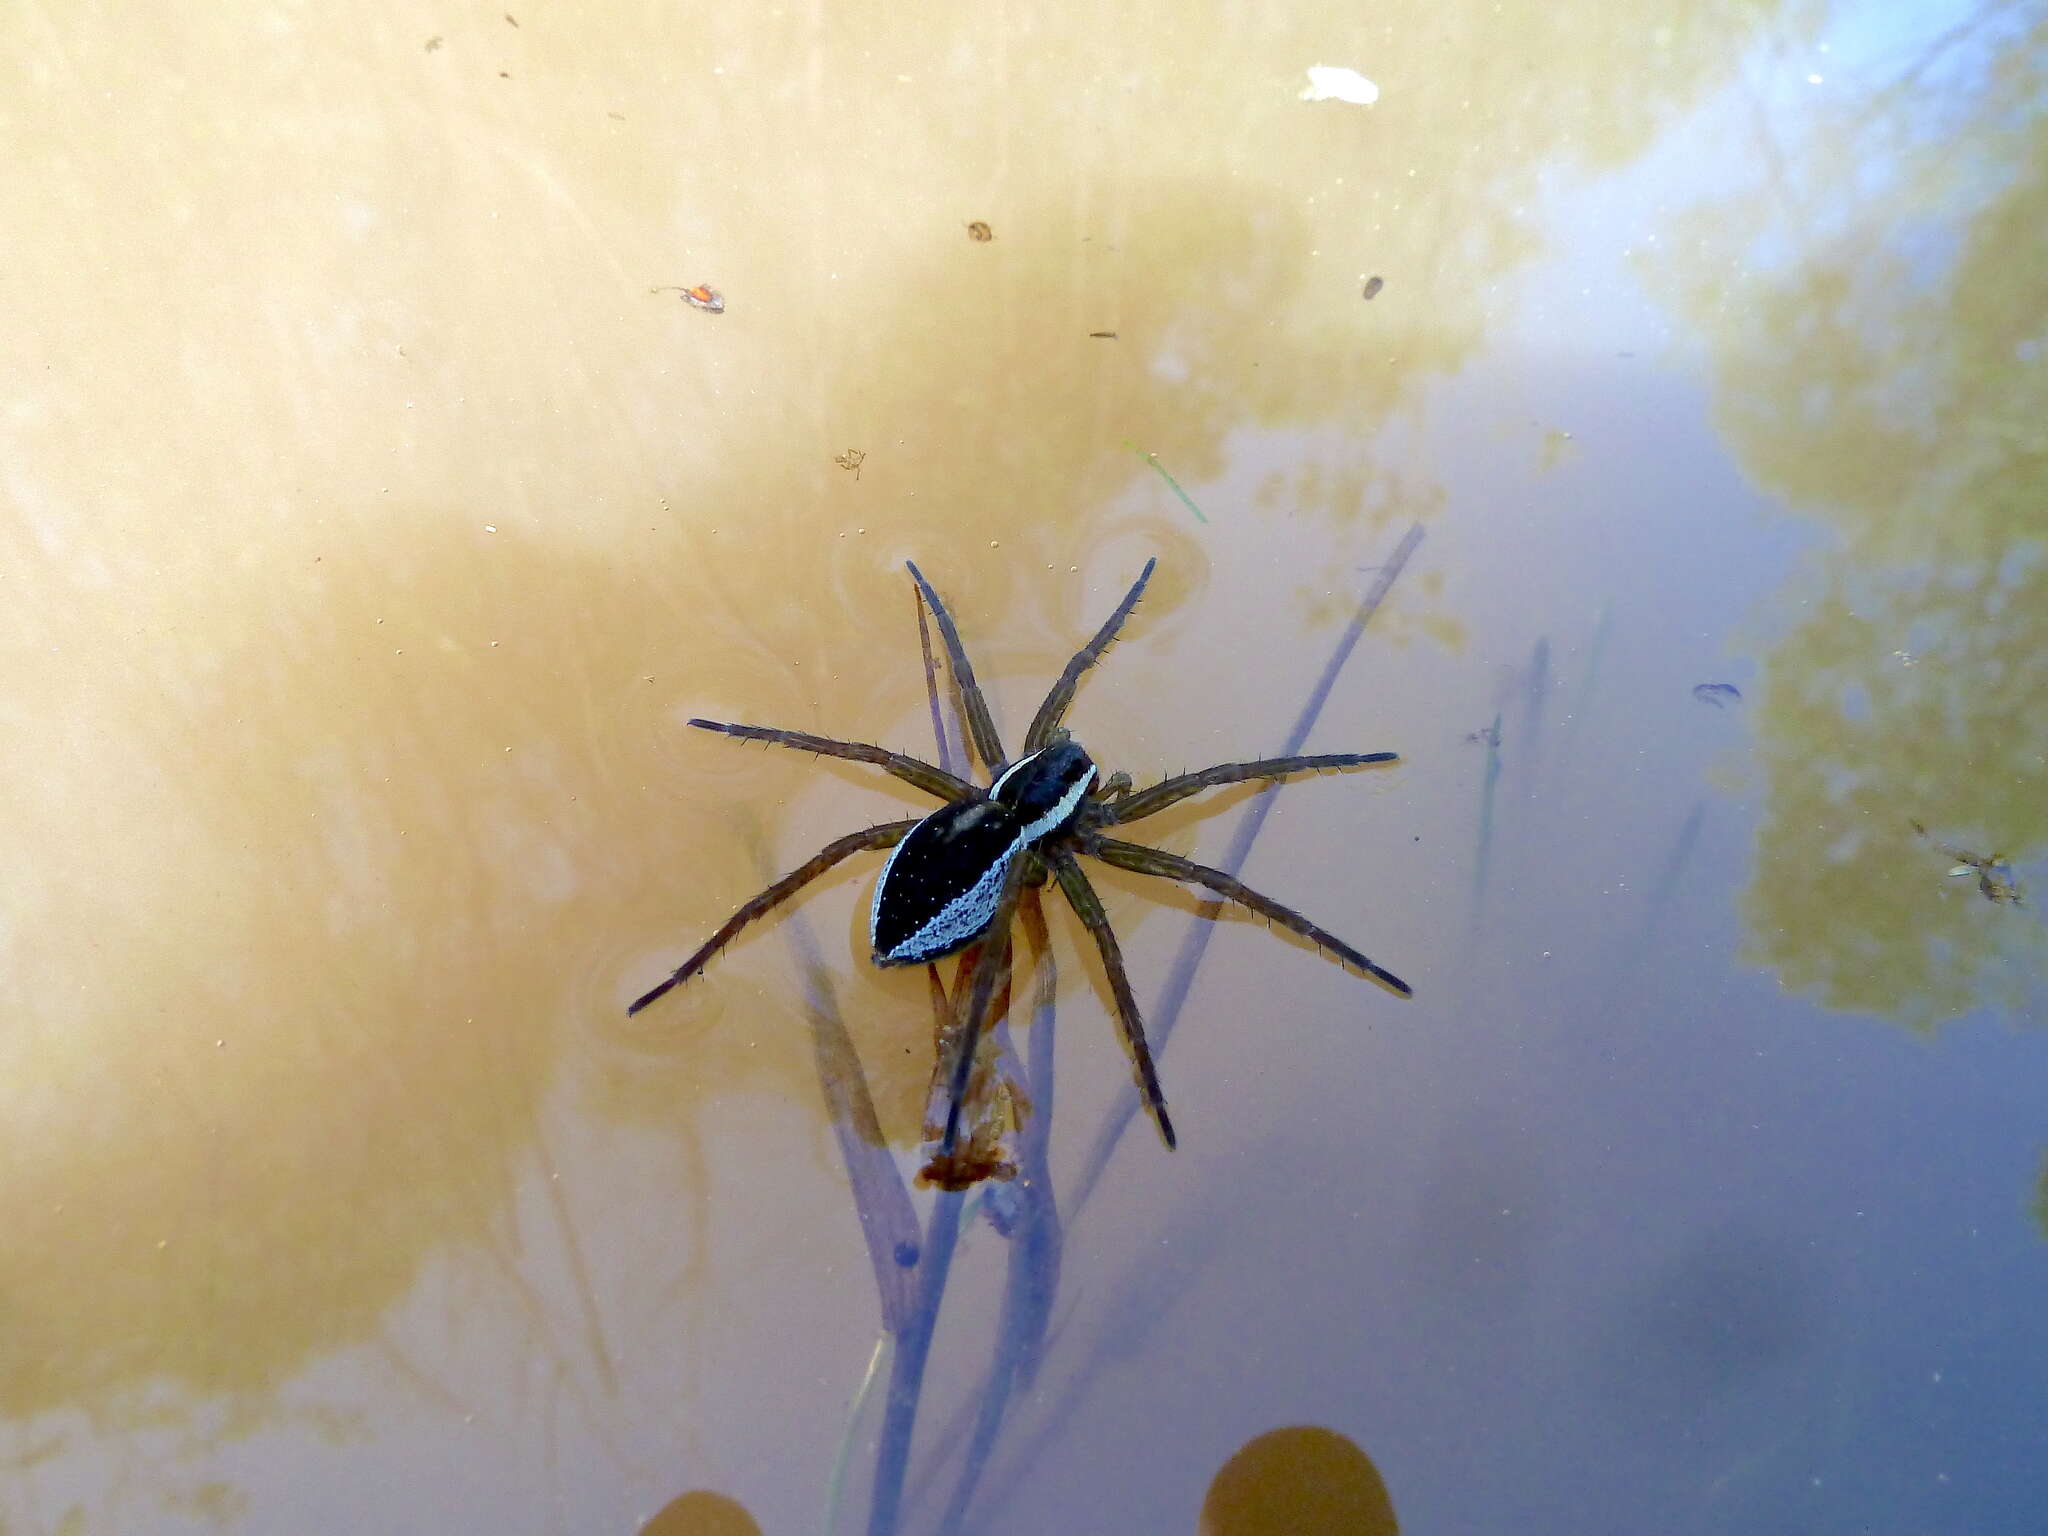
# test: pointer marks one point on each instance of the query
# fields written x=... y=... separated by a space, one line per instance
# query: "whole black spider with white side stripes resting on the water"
x=959 y=873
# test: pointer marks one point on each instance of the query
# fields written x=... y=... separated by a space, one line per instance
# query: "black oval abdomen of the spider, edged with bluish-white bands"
x=941 y=886
